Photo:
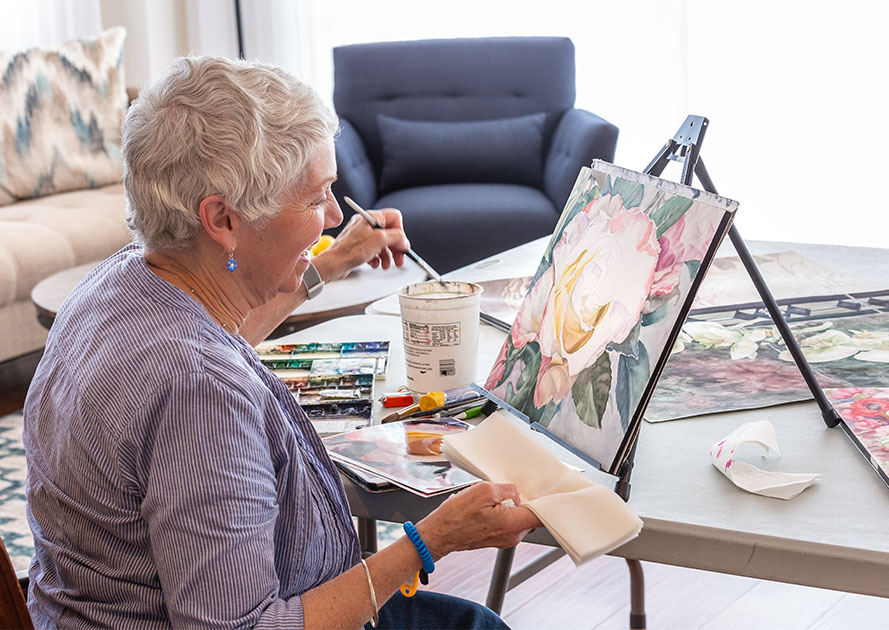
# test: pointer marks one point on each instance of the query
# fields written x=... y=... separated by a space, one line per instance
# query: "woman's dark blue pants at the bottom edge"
x=433 y=611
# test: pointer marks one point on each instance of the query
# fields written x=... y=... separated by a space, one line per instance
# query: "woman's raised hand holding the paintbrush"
x=359 y=243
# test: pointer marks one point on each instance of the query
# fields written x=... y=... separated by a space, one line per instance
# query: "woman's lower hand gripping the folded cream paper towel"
x=477 y=517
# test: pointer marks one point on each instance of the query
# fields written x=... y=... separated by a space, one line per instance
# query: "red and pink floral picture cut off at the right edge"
x=865 y=410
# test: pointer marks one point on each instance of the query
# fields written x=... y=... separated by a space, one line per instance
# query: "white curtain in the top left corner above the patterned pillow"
x=25 y=24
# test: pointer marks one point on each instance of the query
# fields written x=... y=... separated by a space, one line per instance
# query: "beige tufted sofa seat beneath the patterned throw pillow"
x=40 y=237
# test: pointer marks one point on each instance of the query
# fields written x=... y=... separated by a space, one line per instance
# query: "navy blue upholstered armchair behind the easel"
x=476 y=141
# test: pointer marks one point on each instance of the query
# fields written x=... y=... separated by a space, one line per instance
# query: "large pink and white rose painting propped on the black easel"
x=605 y=306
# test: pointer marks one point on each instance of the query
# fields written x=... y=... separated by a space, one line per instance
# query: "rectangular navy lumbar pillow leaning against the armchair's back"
x=417 y=153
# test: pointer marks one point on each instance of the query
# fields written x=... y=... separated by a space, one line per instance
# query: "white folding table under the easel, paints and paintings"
x=831 y=536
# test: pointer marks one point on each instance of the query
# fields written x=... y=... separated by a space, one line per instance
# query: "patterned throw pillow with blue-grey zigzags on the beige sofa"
x=60 y=116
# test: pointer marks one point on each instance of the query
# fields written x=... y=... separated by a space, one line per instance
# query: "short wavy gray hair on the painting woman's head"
x=214 y=126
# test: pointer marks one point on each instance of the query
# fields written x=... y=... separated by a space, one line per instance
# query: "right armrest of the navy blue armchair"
x=579 y=138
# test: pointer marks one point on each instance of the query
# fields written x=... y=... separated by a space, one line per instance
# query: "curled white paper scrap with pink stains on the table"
x=777 y=485
